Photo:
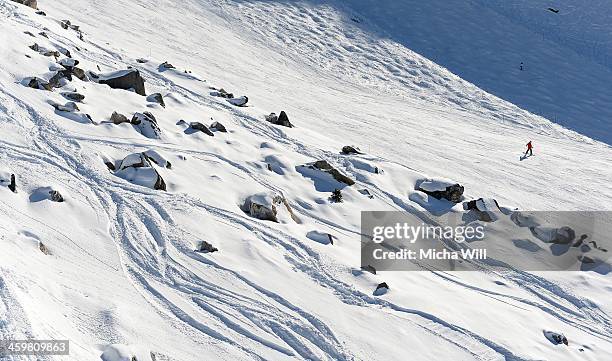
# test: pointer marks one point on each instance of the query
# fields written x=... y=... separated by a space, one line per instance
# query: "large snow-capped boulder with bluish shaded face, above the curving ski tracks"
x=140 y=168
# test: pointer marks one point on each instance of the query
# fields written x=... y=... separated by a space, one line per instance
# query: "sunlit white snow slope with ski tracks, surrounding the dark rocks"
x=122 y=267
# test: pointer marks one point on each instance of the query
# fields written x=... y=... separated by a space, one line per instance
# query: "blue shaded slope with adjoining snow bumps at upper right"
x=565 y=55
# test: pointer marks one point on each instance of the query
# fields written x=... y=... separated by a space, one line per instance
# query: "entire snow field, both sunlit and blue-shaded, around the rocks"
x=424 y=88
